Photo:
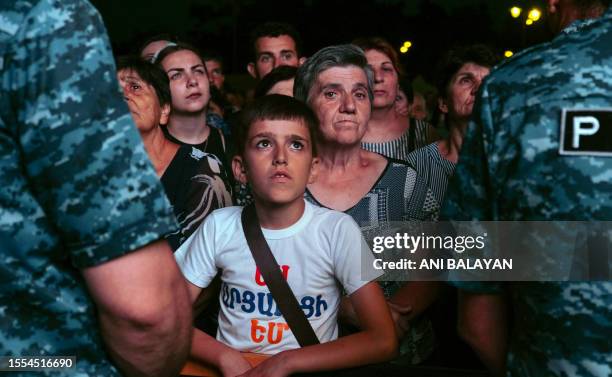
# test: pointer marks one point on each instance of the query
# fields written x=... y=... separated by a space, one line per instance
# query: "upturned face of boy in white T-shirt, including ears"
x=277 y=161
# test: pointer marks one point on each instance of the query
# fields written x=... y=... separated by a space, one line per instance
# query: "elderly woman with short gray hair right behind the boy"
x=336 y=82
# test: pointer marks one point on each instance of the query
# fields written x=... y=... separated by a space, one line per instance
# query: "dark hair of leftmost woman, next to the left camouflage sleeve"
x=150 y=74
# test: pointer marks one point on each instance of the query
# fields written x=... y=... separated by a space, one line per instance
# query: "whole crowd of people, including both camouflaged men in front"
x=128 y=181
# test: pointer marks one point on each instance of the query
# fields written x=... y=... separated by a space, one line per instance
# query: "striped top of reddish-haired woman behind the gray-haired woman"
x=415 y=137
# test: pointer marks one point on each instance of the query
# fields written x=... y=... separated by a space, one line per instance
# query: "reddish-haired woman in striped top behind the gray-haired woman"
x=389 y=133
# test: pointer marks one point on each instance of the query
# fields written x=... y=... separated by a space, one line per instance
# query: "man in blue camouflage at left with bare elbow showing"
x=81 y=209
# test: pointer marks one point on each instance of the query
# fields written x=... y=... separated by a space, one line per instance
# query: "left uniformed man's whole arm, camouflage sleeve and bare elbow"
x=87 y=169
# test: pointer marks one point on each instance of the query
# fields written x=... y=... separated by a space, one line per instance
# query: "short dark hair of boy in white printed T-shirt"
x=275 y=107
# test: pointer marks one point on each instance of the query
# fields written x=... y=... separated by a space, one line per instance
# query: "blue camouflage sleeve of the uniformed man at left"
x=82 y=156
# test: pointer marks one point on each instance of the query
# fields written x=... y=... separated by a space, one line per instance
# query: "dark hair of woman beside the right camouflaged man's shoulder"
x=457 y=57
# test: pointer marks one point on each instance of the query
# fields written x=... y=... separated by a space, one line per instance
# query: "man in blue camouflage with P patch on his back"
x=514 y=165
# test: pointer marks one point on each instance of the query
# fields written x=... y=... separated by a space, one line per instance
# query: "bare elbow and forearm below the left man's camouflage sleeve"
x=144 y=311
